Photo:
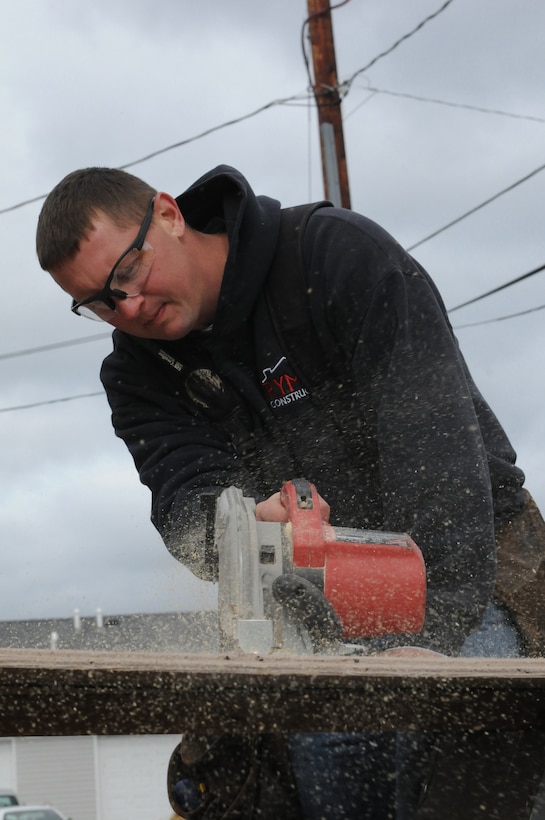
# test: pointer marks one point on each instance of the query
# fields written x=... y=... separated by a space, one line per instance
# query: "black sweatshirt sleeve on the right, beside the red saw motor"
x=432 y=468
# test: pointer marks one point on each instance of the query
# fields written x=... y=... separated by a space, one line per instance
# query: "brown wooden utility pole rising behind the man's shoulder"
x=328 y=101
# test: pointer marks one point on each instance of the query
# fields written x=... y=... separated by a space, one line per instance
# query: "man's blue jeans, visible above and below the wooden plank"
x=366 y=776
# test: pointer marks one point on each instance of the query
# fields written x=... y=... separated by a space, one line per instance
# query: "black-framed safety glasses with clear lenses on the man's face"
x=127 y=278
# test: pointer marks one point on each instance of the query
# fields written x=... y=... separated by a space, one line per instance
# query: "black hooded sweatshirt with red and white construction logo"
x=395 y=435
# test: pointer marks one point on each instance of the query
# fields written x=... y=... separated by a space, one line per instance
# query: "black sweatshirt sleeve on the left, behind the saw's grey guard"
x=184 y=459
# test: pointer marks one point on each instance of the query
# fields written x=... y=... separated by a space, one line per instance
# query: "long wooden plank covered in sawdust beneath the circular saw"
x=77 y=693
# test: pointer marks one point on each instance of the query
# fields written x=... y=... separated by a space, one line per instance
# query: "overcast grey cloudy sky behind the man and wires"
x=444 y=122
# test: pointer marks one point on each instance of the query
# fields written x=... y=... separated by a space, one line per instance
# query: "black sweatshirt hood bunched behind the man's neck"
x=223 y=201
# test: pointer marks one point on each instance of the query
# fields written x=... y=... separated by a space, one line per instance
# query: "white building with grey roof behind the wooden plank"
x=114 y=777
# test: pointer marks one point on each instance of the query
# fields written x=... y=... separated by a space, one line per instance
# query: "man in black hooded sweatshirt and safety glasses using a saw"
x=205 y=394
